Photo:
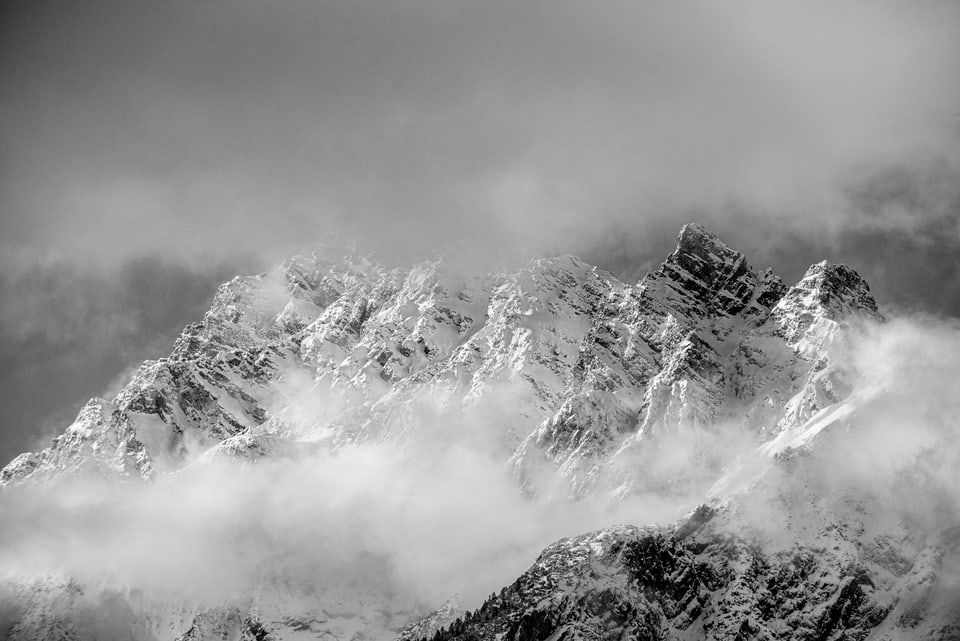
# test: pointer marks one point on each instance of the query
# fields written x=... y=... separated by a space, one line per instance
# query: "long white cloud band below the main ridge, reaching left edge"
x=412 y=525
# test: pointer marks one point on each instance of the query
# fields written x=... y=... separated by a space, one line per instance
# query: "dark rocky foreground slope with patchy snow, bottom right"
x=692 y=582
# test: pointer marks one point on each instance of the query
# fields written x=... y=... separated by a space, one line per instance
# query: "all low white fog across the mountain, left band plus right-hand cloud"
x=408 y=522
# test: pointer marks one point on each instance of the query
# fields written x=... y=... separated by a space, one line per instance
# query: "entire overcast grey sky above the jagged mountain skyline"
x=148 y=150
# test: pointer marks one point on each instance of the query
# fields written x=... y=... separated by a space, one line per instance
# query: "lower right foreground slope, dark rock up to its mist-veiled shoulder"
x=804 y=554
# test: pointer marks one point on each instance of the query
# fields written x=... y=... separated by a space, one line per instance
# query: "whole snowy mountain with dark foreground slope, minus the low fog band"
x=707 y=386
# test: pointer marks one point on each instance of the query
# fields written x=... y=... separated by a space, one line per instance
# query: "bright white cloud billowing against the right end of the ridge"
x=885 y=472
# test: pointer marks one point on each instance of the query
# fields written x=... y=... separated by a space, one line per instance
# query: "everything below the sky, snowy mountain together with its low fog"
x=731 y=458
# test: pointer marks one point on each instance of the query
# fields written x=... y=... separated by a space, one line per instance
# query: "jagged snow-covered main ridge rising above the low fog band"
x=592 y=366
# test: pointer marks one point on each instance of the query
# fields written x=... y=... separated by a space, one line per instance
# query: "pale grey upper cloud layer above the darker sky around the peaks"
x=196 y=130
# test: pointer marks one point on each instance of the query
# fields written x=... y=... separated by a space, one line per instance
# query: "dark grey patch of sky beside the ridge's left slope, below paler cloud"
x=65 y=334
